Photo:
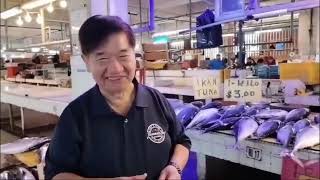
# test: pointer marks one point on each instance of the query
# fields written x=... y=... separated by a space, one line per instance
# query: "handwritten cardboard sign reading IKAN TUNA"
x=206 y=87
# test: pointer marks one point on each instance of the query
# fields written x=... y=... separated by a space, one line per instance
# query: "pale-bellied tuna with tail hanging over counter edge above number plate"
x=244 y=128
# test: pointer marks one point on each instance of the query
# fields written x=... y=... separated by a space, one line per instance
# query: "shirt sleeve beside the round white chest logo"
x=176 y=129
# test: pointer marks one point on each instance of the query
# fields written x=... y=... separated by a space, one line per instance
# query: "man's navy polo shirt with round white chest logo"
x=92 y=140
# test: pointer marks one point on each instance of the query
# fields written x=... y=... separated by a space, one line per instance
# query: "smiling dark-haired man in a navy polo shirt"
x=119 y=129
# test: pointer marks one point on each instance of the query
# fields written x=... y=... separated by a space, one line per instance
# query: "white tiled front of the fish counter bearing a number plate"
x=260 y=154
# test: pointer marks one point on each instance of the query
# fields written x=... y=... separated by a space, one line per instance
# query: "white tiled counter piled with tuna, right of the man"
x=255 y=136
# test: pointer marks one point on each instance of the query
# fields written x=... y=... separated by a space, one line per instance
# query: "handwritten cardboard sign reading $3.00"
x=248 y=90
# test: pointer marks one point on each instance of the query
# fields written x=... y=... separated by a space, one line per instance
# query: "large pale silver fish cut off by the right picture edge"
x=307 y=137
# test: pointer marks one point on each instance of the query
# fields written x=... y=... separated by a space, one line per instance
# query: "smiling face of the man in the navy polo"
x=112 y=64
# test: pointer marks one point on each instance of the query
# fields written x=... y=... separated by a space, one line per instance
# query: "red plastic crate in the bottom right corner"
x=292 y=171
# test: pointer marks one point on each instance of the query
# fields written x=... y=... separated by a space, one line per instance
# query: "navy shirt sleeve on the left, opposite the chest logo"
x=63 y=153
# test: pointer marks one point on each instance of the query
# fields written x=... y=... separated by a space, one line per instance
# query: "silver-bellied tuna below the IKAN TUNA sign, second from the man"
x=204 y=116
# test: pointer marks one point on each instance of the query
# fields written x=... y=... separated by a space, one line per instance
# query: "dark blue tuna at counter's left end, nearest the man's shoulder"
x=187 y=113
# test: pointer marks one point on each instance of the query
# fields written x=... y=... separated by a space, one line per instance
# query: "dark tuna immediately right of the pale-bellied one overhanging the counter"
x=267 y=128
